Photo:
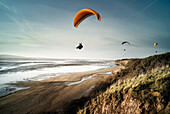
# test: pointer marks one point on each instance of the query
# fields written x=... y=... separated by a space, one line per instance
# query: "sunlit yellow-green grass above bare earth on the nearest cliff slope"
x=152 y=87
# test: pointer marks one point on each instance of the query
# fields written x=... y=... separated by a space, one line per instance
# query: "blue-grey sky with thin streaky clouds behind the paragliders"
x=44 y=28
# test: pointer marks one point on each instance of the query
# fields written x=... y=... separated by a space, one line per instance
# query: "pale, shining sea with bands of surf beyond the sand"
x=31 y=69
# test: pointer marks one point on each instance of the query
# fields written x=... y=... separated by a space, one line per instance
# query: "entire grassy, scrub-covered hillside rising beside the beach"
x=142 y=87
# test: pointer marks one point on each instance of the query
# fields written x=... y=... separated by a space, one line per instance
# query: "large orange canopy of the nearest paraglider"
x=84 y=13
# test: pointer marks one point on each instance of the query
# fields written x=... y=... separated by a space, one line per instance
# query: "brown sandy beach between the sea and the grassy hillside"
x=54 y=93
